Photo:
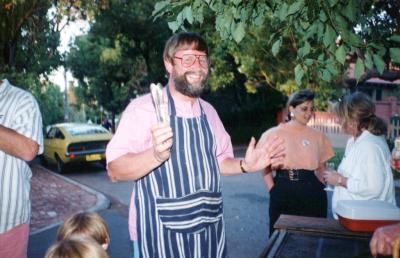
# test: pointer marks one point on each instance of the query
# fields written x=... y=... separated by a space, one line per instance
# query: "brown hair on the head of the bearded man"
x=183 y=41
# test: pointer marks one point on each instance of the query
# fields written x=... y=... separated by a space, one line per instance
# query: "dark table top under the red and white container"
x=306 y=237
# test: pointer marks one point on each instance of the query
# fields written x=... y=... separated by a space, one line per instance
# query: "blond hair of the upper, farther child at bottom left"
x=85 y=224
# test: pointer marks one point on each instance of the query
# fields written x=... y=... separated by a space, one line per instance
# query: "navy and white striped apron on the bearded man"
x=179 y=204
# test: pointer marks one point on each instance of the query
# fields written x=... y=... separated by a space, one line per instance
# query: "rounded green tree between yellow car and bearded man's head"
x=120 y=56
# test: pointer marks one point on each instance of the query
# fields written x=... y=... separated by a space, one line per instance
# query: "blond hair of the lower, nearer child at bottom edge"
x=76 y=247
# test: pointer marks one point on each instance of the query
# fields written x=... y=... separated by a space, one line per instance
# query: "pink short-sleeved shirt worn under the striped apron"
x=133 y=134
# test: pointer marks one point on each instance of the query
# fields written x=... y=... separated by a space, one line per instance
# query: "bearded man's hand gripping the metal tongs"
x=162 y=137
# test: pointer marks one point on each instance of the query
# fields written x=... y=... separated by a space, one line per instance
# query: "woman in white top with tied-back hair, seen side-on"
x=364 y=172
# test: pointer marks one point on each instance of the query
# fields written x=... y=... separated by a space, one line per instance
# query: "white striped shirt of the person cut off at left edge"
x=20 y=112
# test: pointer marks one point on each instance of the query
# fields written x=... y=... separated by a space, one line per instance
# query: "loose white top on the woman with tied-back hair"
x=366 y=165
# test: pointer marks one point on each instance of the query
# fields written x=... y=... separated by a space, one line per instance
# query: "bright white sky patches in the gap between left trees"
x=68 y=35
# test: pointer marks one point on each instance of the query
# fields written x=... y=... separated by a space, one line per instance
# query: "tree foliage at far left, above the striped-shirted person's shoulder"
x=29 y=40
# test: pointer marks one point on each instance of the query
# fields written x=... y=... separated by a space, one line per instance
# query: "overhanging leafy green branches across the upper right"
x=316 y=36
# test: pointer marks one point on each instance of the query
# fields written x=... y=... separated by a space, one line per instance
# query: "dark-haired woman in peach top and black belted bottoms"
x=297 y=188
